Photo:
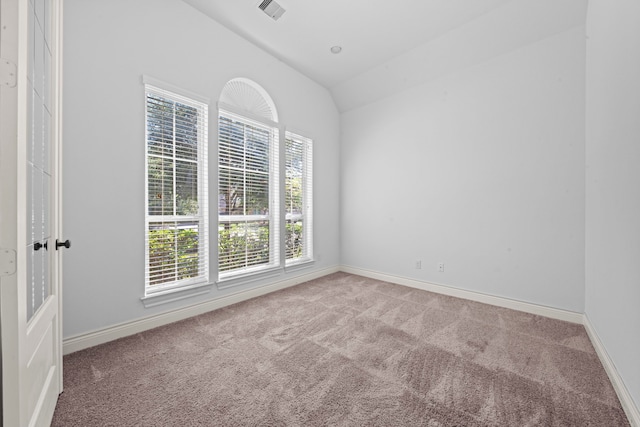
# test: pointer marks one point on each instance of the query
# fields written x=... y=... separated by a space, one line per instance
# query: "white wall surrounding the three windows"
x=108 y=46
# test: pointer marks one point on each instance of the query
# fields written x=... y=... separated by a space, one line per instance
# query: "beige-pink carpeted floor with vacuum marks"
x=344 y=350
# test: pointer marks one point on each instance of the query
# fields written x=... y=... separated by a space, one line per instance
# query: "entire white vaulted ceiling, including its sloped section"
x=381 y=40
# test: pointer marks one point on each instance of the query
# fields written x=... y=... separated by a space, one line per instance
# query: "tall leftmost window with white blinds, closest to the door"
x=176 y=220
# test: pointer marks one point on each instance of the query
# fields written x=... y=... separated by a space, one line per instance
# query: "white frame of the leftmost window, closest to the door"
x=201 y=219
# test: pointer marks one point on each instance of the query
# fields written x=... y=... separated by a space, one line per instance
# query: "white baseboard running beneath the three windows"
x=90 y=339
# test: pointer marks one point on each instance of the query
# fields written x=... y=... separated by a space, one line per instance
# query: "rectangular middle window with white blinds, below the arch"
x=248 y=197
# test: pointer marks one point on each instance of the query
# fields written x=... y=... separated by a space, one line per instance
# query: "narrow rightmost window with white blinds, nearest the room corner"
x=298 y=199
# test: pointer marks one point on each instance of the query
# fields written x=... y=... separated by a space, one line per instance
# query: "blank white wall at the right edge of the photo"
x=613 y=183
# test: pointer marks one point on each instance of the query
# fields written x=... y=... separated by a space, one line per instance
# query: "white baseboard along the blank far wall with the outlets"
x=554 y=313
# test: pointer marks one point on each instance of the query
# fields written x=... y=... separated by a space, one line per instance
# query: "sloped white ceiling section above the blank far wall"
x=515 y=23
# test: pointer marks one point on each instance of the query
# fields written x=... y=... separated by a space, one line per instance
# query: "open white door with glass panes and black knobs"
x=30 y=304
